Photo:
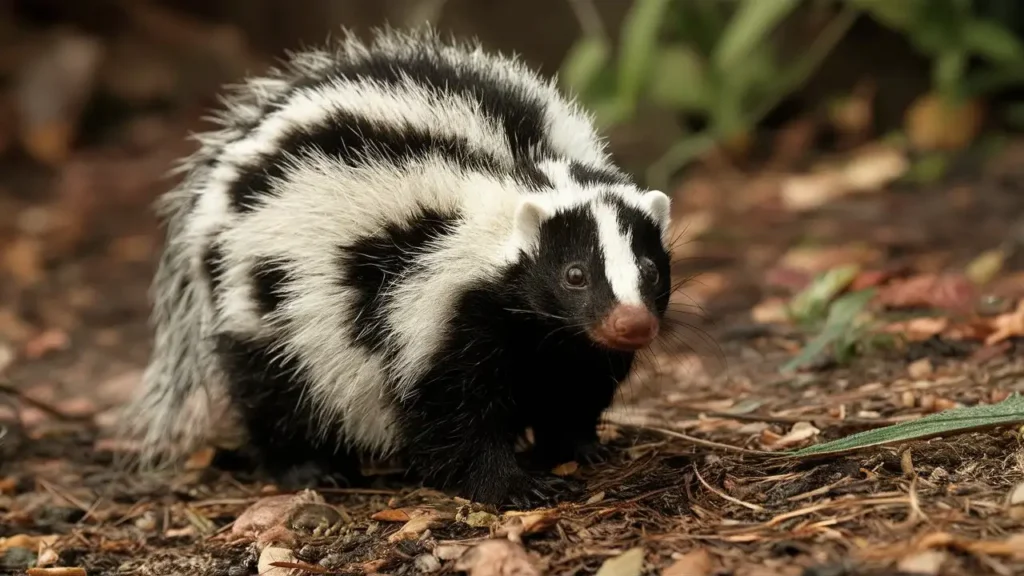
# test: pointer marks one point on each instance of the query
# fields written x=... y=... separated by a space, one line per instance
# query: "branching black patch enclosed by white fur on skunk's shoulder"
x=374 y=264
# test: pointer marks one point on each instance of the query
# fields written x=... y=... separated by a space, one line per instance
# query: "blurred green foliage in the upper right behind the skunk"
x=721 y=61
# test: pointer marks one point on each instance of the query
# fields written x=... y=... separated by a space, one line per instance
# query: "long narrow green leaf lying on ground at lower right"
x=957 y=421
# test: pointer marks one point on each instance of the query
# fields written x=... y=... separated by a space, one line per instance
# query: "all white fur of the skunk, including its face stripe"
x=321 y=204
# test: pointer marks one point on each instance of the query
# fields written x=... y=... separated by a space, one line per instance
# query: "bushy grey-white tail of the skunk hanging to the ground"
x=175 y=412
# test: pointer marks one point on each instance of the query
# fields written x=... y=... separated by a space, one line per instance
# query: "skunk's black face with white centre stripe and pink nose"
x=602 y=270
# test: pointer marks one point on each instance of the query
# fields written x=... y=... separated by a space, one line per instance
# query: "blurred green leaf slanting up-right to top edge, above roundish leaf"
x=749 y=27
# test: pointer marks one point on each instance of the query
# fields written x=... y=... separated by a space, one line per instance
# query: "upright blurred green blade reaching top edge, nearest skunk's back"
x=637 y=48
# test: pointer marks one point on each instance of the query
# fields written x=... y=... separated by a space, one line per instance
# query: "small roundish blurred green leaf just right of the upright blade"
x=679 y=79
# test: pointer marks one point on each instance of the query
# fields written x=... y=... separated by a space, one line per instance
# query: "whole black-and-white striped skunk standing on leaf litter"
x=405 y=246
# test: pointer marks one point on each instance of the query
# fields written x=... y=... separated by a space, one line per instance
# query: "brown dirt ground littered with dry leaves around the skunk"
x=697 y=485
